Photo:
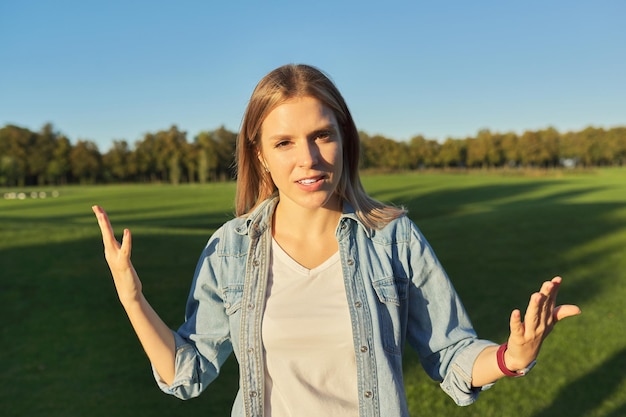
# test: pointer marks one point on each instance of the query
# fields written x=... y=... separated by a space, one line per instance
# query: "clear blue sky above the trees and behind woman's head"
x=112 y=70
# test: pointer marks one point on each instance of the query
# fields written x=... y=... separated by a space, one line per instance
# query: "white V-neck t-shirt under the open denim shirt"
x=310 y=365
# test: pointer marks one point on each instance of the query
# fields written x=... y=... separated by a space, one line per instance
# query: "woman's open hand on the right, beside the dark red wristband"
x=541 y=316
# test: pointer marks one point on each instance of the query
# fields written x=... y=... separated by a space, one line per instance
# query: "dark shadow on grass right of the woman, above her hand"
x=505 y=248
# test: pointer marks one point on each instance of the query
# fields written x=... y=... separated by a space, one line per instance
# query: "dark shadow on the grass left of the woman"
x=68 y=349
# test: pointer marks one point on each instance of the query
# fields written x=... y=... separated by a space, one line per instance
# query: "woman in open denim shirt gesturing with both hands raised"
x=315 y=286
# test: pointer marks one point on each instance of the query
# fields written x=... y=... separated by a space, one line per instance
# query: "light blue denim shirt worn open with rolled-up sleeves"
x=396 y=290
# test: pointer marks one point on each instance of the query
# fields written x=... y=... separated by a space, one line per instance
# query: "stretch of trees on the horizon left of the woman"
x=48 y=157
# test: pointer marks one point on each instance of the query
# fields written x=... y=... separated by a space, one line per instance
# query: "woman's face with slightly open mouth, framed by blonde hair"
x=301 y=146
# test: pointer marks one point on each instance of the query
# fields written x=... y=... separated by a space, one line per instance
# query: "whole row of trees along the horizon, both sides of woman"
x=49 y=157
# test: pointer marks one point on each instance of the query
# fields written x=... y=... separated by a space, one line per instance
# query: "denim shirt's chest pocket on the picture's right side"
x=391 y=293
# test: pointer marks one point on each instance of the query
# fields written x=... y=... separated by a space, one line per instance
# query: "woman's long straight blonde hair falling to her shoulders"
x=254 y=184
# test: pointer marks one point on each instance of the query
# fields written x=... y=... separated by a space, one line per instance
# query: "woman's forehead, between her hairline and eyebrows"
x=298 y=114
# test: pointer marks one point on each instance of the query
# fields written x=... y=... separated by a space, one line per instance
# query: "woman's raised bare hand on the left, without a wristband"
x=117 y=255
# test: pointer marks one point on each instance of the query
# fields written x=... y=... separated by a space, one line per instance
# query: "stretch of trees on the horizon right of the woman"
x=545 y=148
